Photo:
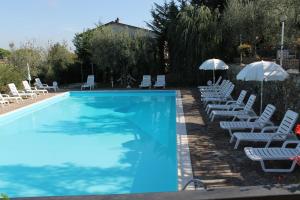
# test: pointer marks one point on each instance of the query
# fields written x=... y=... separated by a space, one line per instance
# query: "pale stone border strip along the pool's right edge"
x=185 y=171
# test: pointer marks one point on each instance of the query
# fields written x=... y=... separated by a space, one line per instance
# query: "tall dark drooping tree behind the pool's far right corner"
x=191 y=35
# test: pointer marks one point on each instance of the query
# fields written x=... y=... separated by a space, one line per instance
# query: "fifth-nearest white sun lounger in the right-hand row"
x=229 y=104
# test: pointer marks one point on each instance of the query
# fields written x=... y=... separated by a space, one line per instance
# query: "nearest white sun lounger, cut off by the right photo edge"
x=275 y=154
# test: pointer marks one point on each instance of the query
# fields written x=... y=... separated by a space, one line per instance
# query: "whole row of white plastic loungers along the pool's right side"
x=257 y=129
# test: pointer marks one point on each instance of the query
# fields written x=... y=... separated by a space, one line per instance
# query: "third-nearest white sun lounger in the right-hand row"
x=259 y=123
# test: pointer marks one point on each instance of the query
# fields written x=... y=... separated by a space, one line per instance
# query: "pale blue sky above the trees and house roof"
x=42 y=21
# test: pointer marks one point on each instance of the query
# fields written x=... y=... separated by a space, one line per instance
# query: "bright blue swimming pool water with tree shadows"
x=90 y=143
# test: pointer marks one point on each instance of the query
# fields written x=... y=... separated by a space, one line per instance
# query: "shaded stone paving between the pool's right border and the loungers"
x=213 y=158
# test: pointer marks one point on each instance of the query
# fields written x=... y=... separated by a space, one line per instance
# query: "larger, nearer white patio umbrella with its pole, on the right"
x=262 y=71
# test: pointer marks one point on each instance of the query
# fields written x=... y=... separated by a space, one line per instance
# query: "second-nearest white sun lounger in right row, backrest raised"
x=280 y=133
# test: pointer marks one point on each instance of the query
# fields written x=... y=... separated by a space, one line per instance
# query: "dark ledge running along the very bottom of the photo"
x=274 y=192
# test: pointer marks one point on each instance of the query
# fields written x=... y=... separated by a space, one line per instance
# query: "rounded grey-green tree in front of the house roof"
x=119 y=53
